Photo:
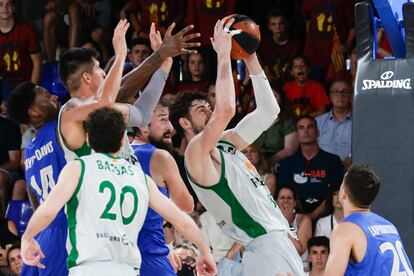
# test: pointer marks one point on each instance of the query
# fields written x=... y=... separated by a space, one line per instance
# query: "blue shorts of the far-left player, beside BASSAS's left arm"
x=52 y=241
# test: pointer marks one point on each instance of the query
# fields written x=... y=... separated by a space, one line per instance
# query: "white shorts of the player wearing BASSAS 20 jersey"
x=108 y=268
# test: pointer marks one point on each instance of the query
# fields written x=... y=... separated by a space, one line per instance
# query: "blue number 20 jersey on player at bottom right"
x=385 y=254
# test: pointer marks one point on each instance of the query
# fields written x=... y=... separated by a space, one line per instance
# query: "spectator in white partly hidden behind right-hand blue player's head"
x=325 y=225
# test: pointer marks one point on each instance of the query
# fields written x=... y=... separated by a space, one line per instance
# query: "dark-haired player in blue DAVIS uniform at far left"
x=44 y=159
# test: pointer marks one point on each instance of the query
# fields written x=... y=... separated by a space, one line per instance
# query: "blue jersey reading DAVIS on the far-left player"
x=43 y=160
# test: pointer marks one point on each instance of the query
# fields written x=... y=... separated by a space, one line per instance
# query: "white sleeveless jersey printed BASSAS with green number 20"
x=106 y=212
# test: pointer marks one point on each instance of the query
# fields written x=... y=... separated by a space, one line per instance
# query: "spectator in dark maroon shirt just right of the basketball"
x=279 y=48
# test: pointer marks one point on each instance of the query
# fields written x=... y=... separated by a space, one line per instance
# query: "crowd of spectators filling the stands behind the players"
x=307 y=50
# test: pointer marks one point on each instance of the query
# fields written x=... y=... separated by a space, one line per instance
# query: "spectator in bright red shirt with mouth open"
x=306 y=96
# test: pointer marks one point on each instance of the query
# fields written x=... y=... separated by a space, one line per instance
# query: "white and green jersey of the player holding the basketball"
x=240 y=202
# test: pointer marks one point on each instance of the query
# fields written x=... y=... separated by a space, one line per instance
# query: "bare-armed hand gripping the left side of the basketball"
x=222 y=36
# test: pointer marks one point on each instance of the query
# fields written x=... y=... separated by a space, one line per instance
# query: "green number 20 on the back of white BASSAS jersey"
x=107 y=214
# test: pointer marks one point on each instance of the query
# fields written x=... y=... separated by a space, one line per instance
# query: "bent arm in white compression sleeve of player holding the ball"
x=266 y=112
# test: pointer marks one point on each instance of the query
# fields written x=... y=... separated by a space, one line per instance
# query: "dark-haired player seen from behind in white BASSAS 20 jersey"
x=106 y=202
